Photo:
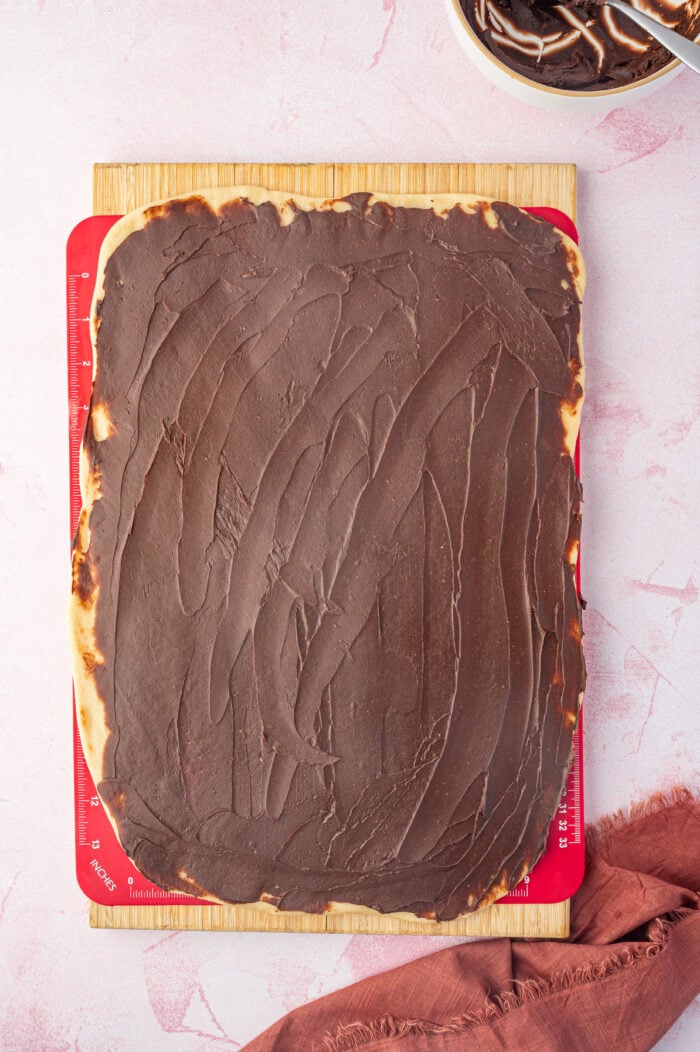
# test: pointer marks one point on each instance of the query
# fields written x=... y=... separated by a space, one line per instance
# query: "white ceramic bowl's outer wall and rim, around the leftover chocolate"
x=543 y=95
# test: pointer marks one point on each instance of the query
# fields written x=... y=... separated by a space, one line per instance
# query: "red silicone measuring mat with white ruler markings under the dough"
x=106 y=873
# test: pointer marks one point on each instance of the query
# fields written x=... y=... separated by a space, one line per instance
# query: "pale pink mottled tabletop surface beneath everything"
x=302 y=80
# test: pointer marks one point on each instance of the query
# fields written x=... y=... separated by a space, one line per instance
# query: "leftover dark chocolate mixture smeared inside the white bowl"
x=584 y=46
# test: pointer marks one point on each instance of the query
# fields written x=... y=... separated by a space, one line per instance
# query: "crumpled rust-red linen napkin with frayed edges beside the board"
x=631 y=966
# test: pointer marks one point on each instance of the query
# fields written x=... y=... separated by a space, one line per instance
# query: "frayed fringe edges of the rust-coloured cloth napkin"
x=355 y=1036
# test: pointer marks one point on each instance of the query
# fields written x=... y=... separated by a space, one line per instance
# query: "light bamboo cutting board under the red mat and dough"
x=122 y=188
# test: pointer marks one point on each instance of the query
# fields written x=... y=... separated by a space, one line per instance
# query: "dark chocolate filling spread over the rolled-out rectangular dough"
x=339 y=628
